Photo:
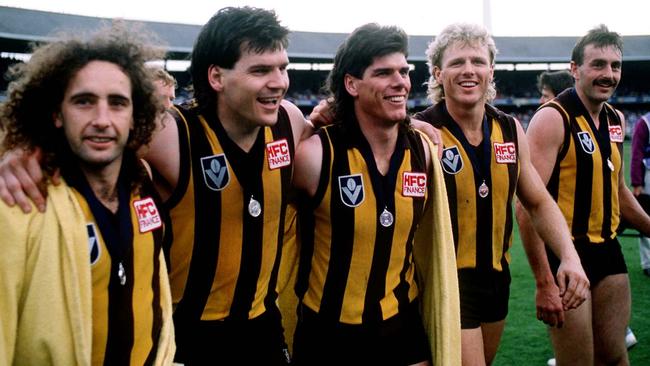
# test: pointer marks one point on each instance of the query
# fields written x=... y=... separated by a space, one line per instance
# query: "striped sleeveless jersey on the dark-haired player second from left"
x=227 y=215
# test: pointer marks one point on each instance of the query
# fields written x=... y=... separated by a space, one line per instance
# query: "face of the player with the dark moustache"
x=599 y=74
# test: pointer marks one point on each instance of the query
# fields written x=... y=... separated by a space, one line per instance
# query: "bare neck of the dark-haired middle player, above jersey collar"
x=382 y=137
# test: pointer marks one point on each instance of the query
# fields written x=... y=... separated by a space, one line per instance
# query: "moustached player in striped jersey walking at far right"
x=576 y=143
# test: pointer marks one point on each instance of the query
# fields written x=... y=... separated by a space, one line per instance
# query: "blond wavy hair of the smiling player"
x=465 y=34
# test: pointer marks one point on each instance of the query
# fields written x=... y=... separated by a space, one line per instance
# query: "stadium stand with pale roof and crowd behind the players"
x=516 y=84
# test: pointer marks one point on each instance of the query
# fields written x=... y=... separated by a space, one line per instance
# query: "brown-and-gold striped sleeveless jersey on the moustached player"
x=584 y=181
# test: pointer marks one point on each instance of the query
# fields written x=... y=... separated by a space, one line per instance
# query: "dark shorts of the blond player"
x=483 y=297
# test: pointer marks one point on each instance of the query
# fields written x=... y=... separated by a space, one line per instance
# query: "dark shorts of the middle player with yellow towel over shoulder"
x=400 y=340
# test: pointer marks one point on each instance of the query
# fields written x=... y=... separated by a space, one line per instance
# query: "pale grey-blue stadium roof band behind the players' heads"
x=19 y=27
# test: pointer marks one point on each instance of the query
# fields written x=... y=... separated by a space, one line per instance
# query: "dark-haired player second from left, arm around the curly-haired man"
x=224 y=167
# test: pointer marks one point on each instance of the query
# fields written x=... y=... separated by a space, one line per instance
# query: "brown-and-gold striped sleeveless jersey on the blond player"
x=482 y=226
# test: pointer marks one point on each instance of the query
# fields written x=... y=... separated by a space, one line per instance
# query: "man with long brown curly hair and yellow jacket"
x=85 y=281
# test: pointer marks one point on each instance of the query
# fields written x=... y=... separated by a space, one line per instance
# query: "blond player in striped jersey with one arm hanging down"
x=486 y=161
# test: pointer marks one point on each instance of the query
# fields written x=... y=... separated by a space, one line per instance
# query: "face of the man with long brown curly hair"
x=97 y=114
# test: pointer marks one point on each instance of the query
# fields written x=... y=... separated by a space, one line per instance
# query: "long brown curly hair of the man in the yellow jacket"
x=36 y=92
